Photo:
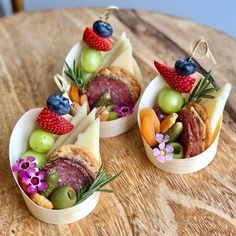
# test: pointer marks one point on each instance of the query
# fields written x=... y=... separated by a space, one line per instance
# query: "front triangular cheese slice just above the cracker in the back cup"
x=125 y=59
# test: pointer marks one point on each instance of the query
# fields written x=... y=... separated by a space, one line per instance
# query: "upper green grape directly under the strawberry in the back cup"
x=90 y=59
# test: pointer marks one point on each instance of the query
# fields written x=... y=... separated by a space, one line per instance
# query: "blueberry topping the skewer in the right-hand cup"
x=184 y=66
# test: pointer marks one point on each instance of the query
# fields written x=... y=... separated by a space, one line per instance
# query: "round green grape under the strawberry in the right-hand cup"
x=169 y=100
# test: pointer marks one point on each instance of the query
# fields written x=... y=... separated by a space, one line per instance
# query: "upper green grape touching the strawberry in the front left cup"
x=41 y=141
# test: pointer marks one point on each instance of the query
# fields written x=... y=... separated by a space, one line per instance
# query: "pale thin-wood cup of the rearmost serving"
x=118 y=126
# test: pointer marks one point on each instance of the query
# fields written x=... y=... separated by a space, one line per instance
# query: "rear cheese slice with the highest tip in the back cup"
x=122 y=43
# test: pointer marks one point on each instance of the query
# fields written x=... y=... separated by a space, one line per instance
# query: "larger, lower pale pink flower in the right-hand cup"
x=163 y=152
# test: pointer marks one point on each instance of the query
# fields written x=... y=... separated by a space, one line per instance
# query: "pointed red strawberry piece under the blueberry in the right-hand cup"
x=180 y=83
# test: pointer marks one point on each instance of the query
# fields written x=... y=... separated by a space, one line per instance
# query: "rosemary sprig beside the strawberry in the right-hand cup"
x=202 y=89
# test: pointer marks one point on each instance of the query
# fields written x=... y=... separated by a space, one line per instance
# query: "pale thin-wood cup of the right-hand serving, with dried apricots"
x=176 y=166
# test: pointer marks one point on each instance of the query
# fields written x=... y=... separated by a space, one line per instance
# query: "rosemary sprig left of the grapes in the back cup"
x=77 y=75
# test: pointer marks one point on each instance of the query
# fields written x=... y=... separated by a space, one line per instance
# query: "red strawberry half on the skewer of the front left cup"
x=53 y=122
